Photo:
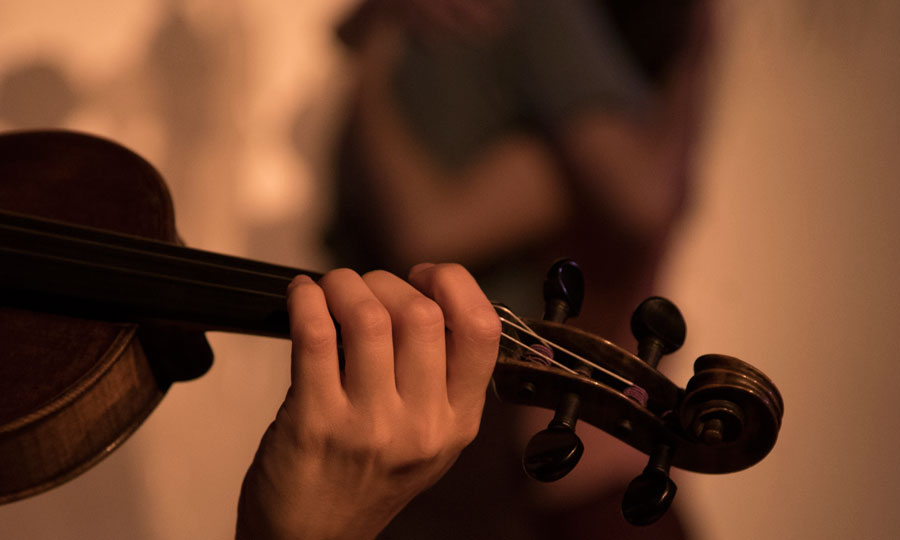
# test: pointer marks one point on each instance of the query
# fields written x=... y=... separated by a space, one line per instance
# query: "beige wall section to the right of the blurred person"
x=791 y=262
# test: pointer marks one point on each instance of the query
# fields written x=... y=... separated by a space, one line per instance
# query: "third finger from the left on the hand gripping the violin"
x=418 y=337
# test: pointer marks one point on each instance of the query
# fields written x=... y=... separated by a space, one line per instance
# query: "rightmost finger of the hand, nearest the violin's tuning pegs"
x=473 y=330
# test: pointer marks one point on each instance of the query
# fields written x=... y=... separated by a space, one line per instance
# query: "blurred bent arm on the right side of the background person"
x=634 y=165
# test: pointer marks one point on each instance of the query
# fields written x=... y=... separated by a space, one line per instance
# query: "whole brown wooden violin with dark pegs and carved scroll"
x=102 y=309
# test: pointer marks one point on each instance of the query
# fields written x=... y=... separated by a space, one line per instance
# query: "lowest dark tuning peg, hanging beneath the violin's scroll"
x=650 y=495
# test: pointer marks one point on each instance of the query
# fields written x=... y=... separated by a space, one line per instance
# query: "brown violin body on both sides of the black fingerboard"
x=72 y=389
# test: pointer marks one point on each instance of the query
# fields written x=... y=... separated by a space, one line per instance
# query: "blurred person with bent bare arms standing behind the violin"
x=506 y=134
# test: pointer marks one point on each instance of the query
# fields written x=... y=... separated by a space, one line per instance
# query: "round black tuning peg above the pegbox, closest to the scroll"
x=659 y=328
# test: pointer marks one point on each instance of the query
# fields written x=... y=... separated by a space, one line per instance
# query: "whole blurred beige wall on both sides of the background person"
x=788 y=260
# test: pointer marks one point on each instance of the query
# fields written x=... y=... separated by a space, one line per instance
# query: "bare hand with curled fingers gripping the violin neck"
x=348 y=450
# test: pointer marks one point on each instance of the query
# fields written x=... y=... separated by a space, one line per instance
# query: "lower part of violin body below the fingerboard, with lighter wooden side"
x=65 y=408
